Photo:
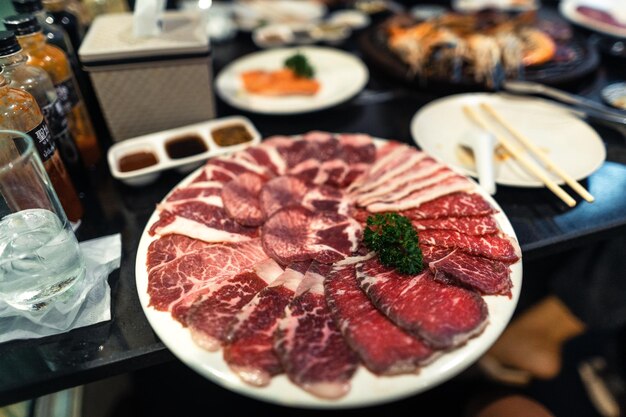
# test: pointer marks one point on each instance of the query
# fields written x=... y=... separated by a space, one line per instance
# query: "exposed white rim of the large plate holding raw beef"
x=367 y=388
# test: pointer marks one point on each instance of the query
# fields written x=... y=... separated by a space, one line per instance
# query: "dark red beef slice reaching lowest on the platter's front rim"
x=308 y=343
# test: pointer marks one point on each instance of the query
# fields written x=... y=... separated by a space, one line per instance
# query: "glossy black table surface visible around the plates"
x=543 y=225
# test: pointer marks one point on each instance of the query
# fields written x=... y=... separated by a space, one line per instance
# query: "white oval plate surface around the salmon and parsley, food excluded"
x=341 y=76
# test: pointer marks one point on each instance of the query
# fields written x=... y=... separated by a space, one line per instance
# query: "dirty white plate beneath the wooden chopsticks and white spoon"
x=439 y=127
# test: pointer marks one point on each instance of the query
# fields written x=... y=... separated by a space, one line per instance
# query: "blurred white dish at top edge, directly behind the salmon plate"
x=250 y=14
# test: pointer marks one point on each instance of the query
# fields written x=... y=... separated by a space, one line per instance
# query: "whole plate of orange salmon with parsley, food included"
x=291 y=80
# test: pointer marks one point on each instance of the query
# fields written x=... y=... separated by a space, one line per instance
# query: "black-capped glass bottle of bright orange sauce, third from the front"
x=54 y=61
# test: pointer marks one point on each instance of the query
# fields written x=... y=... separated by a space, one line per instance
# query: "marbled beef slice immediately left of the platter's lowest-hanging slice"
x=249 y=348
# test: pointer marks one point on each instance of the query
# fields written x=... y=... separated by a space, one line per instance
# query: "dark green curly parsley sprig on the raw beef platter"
x=393 y=237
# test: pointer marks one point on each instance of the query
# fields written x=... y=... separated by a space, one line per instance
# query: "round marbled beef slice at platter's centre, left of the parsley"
x=297 y=234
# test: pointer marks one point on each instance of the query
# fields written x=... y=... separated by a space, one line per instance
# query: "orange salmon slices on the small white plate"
x=283 y=82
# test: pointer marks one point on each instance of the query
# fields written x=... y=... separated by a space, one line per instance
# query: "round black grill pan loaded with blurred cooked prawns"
x=478 y=49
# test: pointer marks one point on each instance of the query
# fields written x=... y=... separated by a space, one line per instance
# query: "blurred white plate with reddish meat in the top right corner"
x=604 y=16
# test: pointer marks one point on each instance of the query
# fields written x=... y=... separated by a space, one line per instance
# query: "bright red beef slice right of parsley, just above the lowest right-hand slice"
x=499 y=247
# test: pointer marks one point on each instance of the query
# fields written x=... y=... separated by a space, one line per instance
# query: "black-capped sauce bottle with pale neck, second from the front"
x=37 y=82
